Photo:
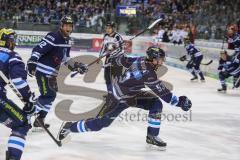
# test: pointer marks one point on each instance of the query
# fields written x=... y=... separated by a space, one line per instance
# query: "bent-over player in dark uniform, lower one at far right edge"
x=228 y=66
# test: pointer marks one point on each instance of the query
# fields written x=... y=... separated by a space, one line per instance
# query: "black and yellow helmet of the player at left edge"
x=7 y=36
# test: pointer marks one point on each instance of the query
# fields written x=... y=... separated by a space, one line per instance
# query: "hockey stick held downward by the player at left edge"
x=15 y=90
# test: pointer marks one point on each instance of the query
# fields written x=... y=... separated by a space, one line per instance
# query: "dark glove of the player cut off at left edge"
x=29 y=107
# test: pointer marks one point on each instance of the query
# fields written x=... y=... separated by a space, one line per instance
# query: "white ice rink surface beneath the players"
x=211 y=131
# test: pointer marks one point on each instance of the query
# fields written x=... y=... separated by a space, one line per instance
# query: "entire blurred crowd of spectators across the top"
x=210 y=17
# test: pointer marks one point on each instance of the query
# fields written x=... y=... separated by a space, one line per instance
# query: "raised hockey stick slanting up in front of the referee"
x=98 y=59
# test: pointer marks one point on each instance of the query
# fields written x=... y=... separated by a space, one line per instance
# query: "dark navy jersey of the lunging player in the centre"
x=138 y=74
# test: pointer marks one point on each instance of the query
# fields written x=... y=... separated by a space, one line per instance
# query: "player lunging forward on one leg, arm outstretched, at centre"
x=140 y=72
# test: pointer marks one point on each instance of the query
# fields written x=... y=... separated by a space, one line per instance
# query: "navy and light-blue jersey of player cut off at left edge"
x=13 y=68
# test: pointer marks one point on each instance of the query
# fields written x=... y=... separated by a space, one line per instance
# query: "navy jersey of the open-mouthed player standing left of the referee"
x=51 y=52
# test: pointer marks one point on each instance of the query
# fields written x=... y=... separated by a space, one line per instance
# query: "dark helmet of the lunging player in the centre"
x=155 y=52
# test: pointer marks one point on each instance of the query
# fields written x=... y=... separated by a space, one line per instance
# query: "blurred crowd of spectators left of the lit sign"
x=84 y=13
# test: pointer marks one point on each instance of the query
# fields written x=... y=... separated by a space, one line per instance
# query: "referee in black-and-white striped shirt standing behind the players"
x=111 y=41
